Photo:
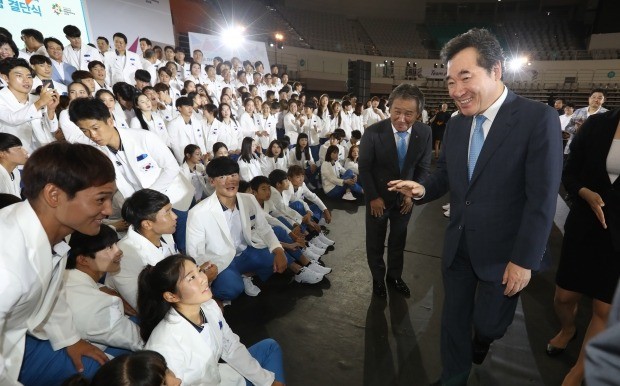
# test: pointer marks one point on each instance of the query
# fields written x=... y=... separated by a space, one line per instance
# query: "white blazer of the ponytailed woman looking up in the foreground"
x=194 y=356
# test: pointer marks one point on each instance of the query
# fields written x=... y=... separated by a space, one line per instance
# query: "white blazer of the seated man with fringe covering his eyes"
x=208 y=234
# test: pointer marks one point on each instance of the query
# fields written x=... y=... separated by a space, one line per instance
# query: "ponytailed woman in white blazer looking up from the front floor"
x=180 y=320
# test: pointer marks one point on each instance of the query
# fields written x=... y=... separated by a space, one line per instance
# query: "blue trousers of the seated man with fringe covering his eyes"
x=228 y=284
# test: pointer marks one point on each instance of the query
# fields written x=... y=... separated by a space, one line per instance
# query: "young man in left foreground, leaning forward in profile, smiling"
x=68 y=187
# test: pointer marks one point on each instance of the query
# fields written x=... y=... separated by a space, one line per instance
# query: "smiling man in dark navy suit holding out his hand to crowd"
x=502 y=163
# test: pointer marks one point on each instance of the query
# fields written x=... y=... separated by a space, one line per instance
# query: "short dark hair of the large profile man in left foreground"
x=72 y=167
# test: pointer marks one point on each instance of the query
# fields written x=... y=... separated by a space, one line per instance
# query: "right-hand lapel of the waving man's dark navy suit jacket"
x=499 y=130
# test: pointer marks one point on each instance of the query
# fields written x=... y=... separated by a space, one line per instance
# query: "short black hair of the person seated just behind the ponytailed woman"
x=143 y=205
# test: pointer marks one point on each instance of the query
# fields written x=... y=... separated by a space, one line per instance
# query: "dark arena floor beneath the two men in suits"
x=337 y=333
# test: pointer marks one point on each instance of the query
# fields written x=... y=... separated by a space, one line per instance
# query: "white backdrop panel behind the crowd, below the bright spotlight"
x=212 y=46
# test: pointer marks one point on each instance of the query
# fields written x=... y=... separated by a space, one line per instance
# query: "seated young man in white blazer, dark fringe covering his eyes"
x=230 y=229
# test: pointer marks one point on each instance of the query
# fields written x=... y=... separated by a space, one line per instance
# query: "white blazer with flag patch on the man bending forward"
x=154 y=166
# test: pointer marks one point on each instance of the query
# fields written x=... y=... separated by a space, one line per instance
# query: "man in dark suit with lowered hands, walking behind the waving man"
x=395 y=148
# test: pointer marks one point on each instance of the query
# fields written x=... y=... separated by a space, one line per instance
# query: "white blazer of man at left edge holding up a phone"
x=33 y=127
